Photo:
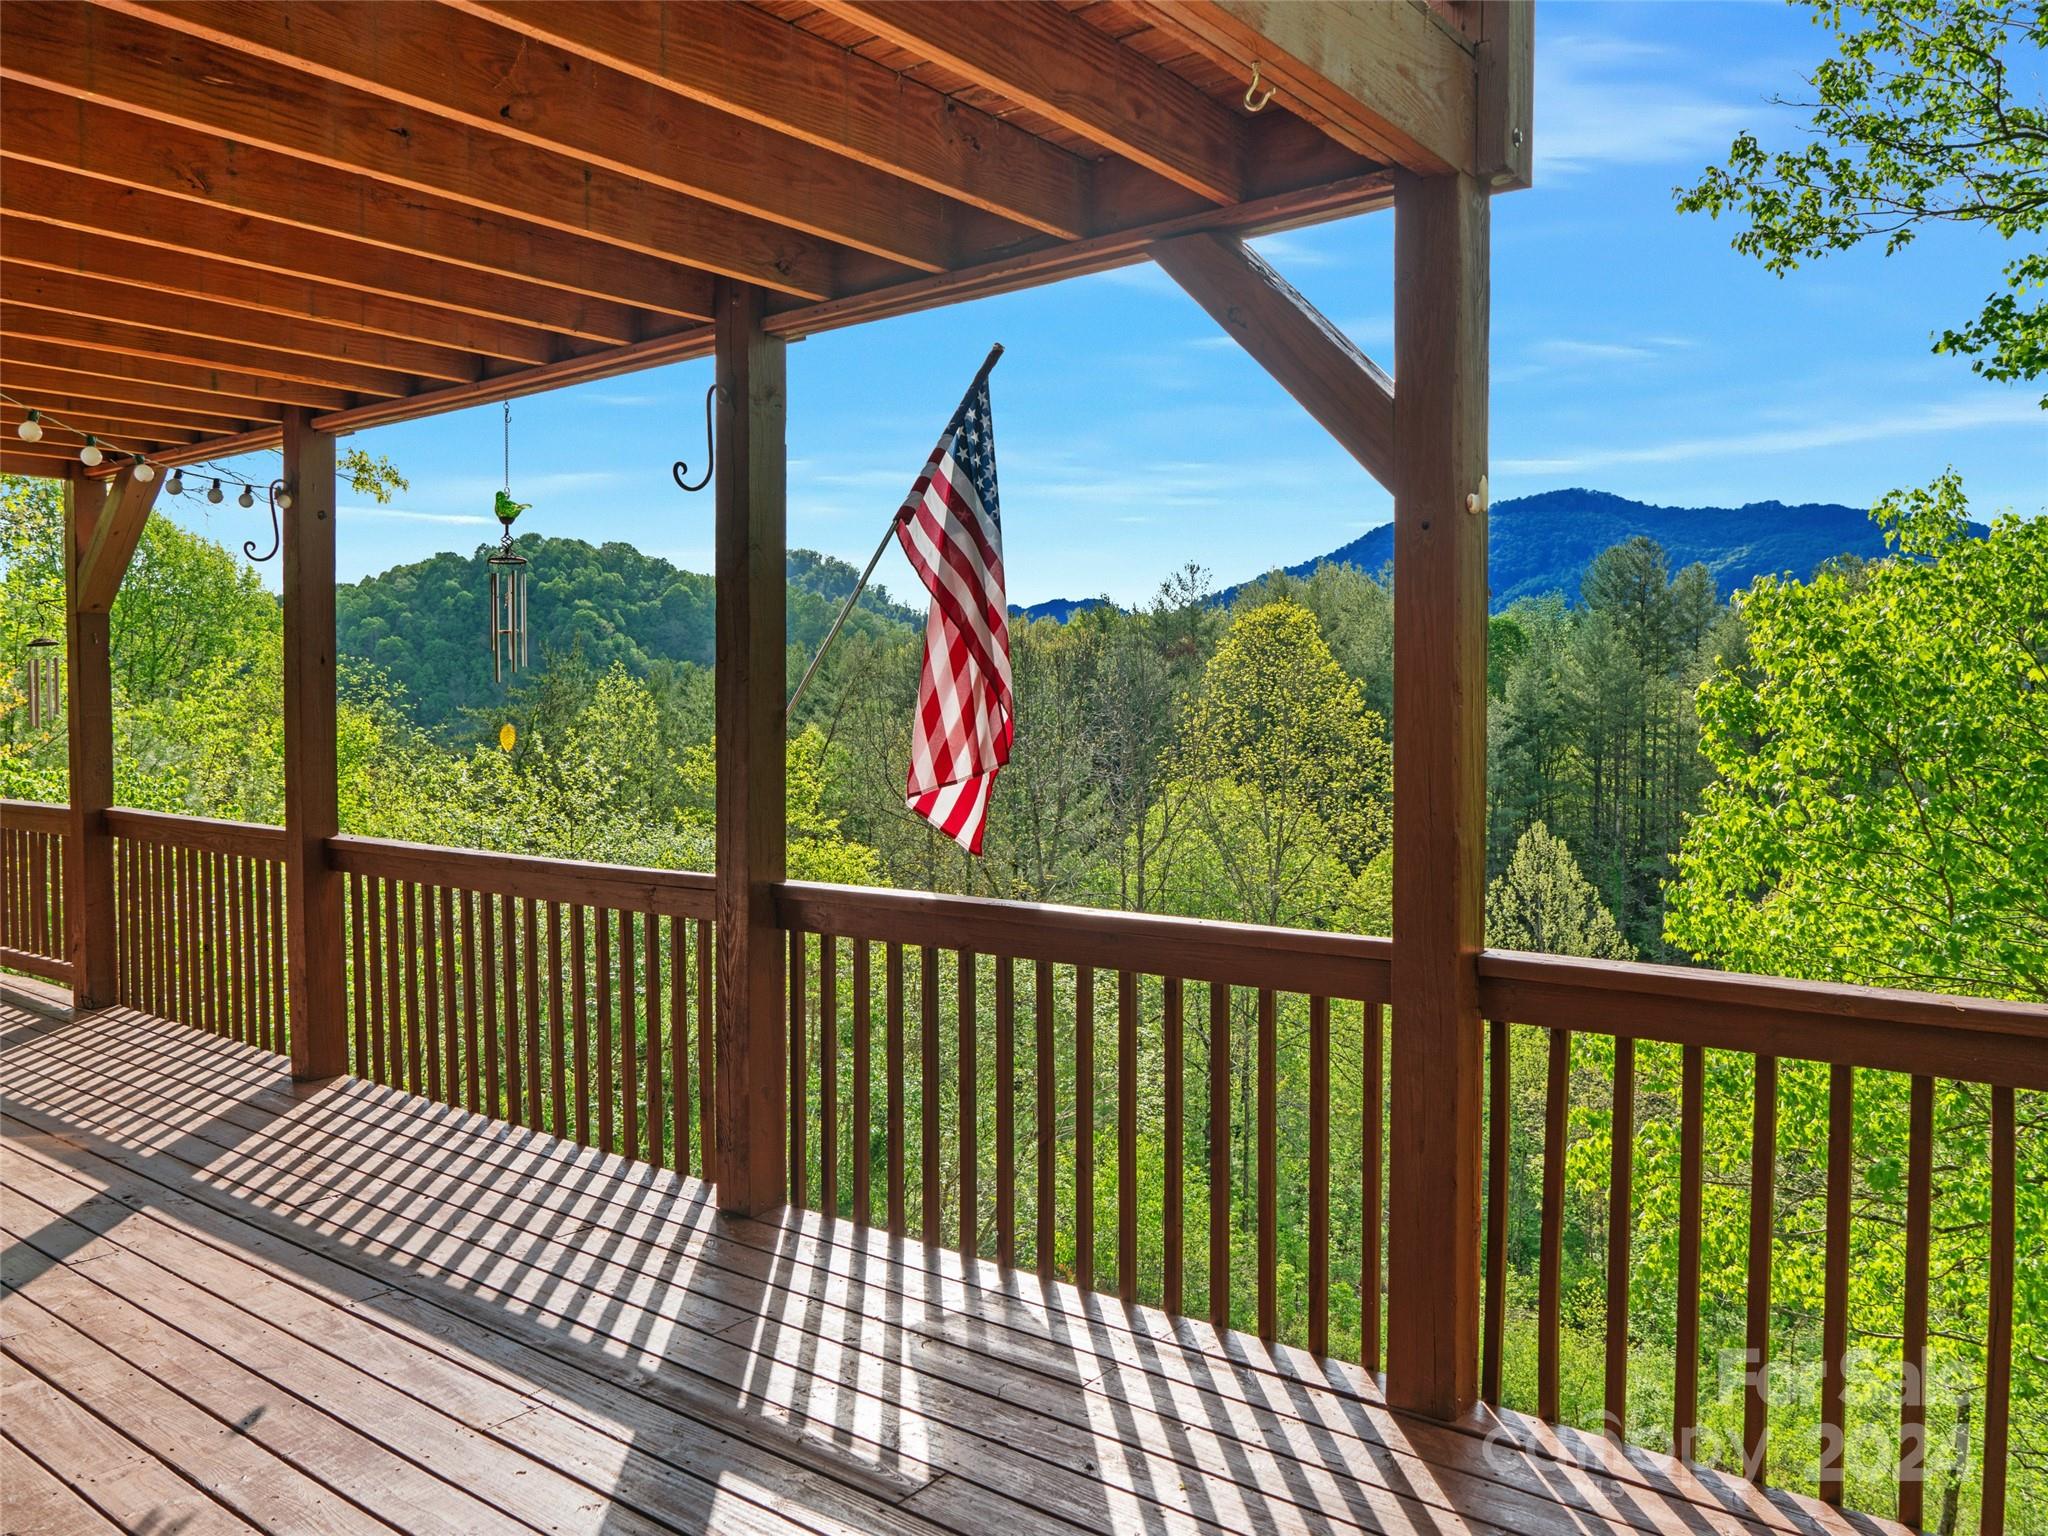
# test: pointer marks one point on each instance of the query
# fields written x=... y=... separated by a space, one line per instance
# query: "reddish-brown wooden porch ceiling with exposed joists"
x=222 y=210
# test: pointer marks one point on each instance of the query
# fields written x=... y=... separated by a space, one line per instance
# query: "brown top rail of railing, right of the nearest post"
x=1973 y=1039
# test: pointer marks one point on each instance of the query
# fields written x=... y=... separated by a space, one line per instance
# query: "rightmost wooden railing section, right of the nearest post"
x=1897 y=1046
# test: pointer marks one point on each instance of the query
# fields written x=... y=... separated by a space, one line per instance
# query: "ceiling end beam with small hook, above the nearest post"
x=1381 y=77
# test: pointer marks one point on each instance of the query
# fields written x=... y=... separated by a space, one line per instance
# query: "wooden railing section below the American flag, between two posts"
x=1148 y=1002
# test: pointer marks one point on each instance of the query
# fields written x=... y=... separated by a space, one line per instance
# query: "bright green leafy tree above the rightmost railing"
x=1883 y=800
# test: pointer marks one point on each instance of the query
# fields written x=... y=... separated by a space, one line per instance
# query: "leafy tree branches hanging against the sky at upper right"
x=1914 y=124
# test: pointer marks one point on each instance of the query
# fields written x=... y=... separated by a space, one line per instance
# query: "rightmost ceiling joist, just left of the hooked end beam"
x=1039 y=56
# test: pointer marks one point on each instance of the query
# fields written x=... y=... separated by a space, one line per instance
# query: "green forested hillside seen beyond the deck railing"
x=1791 y=781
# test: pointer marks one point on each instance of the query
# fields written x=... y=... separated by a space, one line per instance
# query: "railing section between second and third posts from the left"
x=568 y=998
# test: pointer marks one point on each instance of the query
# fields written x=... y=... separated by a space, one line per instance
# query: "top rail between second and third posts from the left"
x=671 y=894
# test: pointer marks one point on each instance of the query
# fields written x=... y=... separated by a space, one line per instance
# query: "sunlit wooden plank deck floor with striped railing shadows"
x=237 y=1306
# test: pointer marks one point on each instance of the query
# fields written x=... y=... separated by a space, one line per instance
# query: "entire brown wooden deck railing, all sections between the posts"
x=1099 y=1097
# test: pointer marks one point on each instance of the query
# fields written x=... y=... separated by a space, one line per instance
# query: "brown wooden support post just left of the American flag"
x=751 y=755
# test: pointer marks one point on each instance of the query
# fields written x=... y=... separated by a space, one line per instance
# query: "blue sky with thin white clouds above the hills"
x=1633 y=353
